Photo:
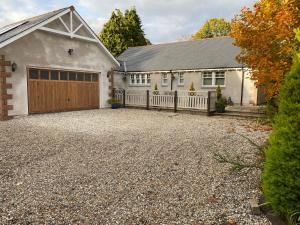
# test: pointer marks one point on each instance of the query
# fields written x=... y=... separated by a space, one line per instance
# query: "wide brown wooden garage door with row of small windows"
x=59 y=90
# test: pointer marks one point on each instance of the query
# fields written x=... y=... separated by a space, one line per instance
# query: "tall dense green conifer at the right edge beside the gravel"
x=281 y=177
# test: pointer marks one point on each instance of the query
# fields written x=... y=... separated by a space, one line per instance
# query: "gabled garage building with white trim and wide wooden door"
x=53 y=62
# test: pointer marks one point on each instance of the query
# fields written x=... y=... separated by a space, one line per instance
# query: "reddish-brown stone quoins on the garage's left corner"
x=4 y=107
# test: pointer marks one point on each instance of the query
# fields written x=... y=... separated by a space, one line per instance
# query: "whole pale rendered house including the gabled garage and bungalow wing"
x=55 y=62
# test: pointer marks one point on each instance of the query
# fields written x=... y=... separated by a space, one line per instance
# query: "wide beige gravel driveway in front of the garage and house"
x=126 y=167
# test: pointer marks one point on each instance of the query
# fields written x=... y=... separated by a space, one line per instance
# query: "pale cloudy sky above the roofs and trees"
x=163 y=20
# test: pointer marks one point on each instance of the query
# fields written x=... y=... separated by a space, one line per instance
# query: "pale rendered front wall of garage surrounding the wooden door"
x=48 y=50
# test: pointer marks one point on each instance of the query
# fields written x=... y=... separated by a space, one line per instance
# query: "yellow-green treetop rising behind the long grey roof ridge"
x=213 y=28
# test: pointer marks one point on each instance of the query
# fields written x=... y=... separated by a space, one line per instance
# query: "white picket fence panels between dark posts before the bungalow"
x=186 y=100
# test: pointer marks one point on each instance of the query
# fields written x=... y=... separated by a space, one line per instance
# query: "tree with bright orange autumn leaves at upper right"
x=267 y=41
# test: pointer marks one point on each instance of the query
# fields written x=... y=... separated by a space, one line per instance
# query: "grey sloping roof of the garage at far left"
x=27 y=24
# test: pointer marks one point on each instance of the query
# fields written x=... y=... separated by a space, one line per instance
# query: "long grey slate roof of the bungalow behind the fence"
x=203 y=54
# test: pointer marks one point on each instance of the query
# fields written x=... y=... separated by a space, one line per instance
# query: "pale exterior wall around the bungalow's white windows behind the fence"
x=233 y=83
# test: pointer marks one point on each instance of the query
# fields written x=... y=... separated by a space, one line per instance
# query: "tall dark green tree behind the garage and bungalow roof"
x=123 y=31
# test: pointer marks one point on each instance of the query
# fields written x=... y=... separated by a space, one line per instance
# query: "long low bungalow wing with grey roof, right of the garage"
x=174 y=66
